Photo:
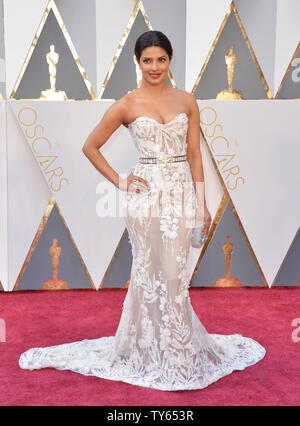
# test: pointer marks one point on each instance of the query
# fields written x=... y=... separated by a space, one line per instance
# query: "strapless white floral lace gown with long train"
x=160 y=342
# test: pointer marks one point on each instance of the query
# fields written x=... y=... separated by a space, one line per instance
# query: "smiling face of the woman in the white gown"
x=154 y=64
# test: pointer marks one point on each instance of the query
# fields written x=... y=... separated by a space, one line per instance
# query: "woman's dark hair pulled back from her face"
x=152 y=38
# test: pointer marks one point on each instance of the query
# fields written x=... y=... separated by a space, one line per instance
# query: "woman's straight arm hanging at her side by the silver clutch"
x=195 y=160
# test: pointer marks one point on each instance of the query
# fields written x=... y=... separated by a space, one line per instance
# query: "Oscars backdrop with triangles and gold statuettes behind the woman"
x=63 y=63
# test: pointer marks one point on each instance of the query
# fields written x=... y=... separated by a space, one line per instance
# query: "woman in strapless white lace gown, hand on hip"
x=160 y=342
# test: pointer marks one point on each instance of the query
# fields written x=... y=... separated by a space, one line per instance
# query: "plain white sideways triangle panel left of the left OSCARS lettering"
x=28 y=197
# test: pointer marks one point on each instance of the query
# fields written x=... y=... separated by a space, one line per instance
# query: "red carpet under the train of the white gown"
x=44 y=319
